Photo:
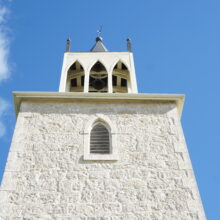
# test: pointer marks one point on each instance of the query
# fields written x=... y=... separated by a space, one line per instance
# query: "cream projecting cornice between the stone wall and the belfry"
x=65 y=96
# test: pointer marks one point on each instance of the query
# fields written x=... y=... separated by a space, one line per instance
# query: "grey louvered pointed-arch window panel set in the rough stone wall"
x=99 y=140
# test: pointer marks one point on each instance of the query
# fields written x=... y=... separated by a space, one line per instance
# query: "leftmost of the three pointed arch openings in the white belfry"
x=75 y=78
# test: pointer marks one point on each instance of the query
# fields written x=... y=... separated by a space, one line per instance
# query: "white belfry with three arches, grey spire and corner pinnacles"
x=98 y=70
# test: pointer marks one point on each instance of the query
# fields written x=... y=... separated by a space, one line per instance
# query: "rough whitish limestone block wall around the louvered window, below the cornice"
x=46 y=177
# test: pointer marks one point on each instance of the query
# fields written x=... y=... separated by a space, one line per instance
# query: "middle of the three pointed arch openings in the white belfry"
x=98 y=78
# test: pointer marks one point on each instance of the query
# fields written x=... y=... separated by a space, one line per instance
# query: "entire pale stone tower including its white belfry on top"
x=98 y=150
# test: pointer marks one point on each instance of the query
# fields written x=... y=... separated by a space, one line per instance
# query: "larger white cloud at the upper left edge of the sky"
x=4 y=45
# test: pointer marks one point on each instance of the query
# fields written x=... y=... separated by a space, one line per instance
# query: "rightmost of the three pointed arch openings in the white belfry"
x=120 y=78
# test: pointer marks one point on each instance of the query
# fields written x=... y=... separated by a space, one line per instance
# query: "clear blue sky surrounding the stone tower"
x=176 y=47
